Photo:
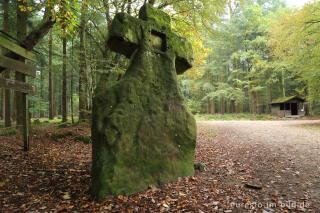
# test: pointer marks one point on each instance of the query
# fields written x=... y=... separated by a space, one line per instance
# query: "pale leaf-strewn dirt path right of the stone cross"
x=279 y=156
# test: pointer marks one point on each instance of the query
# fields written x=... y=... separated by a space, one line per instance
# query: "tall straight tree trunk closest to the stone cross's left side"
x=82 y=68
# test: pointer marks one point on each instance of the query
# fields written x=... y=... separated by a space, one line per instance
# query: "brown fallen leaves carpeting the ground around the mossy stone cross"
x=55 y=177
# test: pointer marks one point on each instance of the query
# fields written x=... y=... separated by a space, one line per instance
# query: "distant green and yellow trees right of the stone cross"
x=262 y=51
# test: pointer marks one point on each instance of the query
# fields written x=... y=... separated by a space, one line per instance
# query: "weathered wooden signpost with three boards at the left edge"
x=20 y=86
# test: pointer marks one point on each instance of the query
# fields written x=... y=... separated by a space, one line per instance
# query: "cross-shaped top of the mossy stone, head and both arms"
x=127 y=33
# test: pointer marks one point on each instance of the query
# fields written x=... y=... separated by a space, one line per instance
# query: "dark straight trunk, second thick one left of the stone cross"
x=64 y=80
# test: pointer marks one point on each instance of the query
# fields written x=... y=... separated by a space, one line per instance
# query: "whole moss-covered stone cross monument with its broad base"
x=142 y=133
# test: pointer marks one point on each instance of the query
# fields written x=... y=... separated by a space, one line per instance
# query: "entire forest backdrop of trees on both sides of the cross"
x=247 y=52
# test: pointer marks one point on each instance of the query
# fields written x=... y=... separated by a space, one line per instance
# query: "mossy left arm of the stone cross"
x=124 y=34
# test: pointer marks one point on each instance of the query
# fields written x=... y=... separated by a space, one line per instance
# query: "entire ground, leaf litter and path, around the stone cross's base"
x=250 y=166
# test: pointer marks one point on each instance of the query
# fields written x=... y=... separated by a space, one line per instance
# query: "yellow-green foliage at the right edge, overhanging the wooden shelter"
x=295 y=45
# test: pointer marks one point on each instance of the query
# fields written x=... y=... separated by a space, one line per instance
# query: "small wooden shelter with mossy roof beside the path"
x=288 y=107
